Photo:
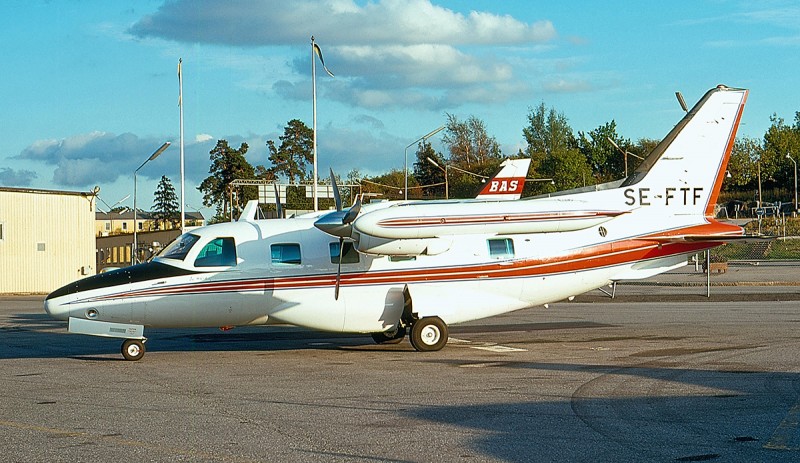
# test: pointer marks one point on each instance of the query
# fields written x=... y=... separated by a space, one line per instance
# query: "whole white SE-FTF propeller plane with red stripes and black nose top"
x=413 y=268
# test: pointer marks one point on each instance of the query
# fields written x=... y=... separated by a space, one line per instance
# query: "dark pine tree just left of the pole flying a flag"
x=295 y=153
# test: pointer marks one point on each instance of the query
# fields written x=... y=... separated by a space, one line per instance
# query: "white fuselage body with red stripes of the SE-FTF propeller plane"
x=467 y=281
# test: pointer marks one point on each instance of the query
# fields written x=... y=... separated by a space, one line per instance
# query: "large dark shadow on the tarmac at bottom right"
x=682 y=415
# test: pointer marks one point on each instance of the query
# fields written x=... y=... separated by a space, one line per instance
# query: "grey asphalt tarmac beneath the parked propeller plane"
x=659 y=373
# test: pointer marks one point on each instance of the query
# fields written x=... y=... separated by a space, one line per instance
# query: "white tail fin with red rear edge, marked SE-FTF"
x=685 y=171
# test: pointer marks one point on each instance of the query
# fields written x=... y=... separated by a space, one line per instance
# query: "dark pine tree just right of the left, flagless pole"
x=227 y=165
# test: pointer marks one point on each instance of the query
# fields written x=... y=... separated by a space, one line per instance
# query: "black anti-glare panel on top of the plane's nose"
x=132 y=274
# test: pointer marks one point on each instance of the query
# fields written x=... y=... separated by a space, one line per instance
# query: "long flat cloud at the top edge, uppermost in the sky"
x=335 y=22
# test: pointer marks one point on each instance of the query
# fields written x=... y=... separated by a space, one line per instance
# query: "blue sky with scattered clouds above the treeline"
x=89 y=88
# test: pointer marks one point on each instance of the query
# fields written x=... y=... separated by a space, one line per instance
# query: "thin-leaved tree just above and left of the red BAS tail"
x=469 y=142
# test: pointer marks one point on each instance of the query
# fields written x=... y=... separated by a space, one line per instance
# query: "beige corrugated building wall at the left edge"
x=48 y=239
